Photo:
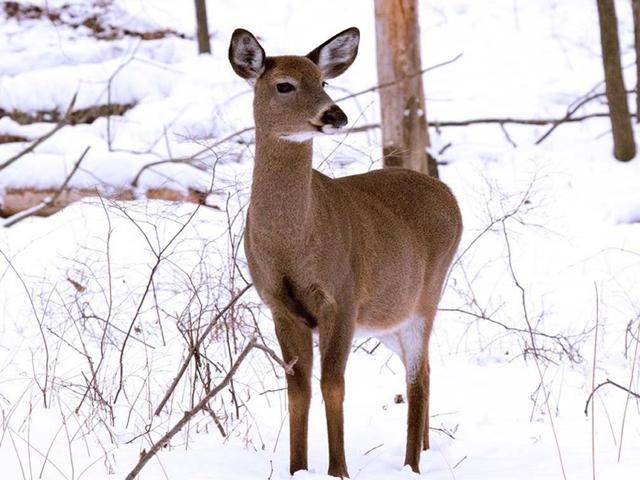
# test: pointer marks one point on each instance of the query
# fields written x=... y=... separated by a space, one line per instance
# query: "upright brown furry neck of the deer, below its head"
x=281 y=194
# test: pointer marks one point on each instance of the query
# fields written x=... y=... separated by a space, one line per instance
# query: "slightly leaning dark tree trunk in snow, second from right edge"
x=624 y=147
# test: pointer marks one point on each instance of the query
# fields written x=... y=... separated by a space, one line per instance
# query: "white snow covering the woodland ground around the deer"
x=552 y=238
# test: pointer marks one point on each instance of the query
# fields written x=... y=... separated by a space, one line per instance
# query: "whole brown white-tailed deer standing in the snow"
x=366 y=252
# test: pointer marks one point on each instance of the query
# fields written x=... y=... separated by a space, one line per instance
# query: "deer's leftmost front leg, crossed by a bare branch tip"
x=296 y=344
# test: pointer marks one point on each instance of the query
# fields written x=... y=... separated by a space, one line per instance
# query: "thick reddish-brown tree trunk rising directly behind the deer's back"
x=403 y=116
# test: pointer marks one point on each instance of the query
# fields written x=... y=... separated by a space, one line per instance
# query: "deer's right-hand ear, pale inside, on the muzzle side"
x=335 y=55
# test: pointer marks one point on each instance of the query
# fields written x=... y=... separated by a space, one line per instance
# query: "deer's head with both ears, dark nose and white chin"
x=290 y=101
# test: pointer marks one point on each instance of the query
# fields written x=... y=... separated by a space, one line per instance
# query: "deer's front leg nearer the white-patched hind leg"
x=335 y=345
